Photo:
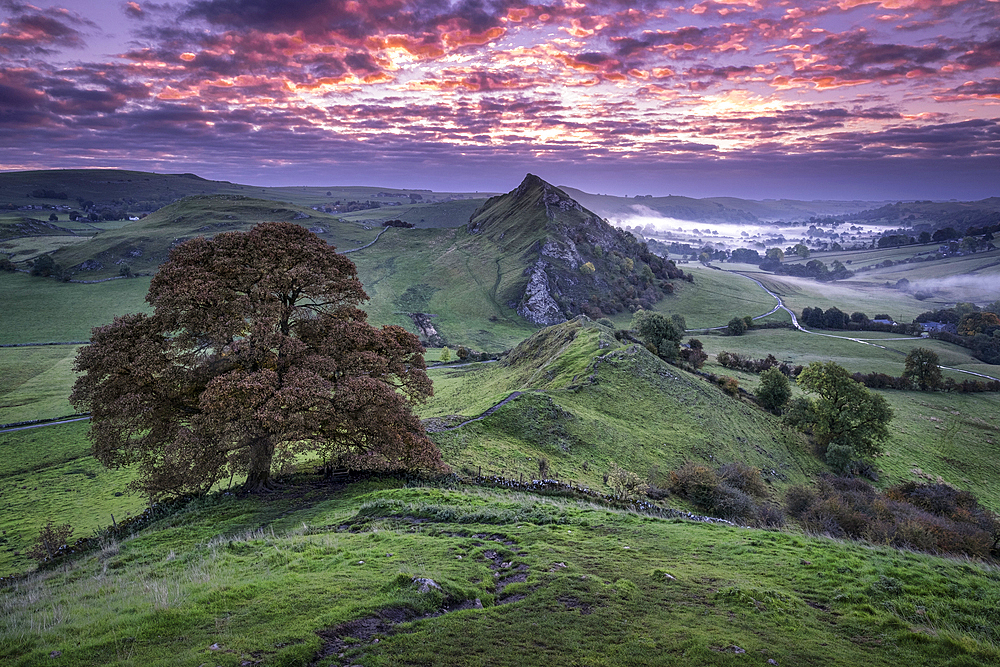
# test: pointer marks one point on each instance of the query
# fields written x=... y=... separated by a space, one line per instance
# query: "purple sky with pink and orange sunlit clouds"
x=801 y=99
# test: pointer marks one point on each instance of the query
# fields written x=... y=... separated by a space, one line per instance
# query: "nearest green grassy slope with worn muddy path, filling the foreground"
x=200 y=586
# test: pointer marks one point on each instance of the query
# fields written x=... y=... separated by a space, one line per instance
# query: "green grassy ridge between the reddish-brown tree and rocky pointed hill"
x=592 y=401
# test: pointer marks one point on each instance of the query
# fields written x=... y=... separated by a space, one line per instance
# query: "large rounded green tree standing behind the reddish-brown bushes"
x=844 y=414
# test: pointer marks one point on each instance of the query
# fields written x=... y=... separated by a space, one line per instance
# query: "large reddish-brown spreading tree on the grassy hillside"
x=256 y=351
